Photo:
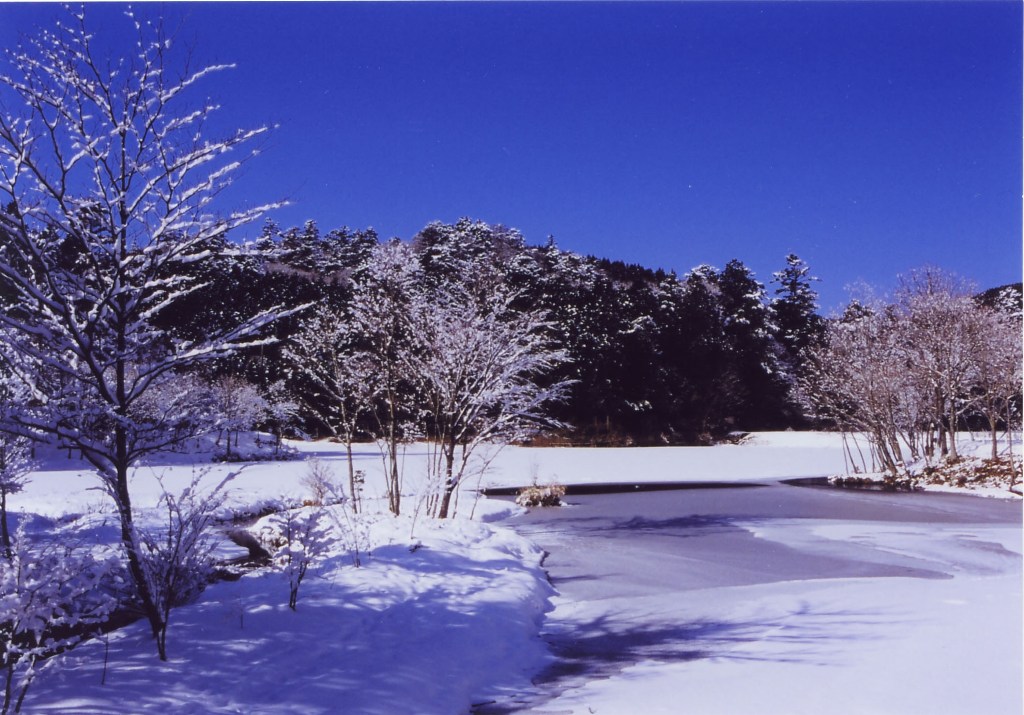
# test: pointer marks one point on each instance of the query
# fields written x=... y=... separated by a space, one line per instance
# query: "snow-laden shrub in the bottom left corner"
x=52 y=598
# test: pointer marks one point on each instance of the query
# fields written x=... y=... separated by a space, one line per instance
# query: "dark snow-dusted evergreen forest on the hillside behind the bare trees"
x=646 y=357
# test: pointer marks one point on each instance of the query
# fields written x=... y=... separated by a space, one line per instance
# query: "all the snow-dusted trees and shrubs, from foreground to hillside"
x=136 y=323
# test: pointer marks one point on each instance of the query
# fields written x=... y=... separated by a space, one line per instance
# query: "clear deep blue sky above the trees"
x=868 y=138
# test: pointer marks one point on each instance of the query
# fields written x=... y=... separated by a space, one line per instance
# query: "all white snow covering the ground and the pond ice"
x=445 y=615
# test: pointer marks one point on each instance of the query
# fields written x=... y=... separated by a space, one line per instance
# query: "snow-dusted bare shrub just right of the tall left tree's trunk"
x=177 y=560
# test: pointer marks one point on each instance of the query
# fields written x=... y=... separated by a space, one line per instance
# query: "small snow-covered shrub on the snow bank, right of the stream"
x=296 y=539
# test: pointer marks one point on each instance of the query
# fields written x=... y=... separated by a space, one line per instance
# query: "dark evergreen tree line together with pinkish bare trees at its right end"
x=644 y=357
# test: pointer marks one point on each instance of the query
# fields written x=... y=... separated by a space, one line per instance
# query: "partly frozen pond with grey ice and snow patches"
x=734 y=576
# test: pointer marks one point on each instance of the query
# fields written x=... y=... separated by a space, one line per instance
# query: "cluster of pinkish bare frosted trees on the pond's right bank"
x=907 y=373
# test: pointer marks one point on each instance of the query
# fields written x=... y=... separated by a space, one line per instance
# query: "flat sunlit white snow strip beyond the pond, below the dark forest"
x=64 y=487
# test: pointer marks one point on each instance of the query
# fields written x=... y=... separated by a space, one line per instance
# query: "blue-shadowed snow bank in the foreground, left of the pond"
x=431 y=624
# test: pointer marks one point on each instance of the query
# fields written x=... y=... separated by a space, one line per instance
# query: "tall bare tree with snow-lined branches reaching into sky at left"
x=109 y=183
